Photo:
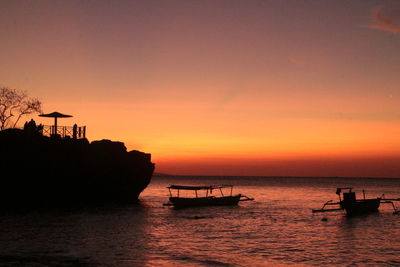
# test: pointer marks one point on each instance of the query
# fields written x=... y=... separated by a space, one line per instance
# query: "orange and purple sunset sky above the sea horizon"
x=287 y=88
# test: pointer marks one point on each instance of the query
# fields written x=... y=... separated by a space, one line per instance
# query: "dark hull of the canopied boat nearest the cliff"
x=180 y=202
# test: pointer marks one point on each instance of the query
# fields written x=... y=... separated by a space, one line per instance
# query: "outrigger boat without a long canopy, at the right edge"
x=353 y=206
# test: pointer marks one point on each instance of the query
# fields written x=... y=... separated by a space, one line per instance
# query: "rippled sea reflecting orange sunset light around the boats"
x=278 y=228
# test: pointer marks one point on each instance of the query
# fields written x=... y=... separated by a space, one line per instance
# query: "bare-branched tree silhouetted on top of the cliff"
x=15 y=104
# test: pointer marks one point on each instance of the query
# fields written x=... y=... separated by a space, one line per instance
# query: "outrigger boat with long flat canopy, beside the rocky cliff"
x=205 y=198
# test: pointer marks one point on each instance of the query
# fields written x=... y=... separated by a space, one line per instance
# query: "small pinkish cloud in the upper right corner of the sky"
x=384 y=21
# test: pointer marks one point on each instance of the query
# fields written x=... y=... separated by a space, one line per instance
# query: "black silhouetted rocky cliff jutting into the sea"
x=40 y=171
